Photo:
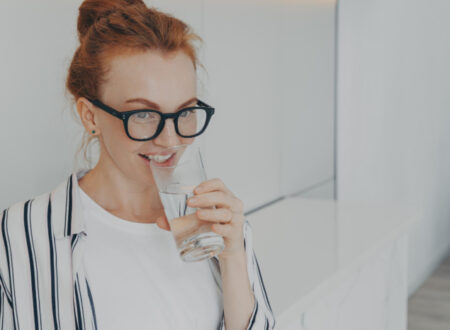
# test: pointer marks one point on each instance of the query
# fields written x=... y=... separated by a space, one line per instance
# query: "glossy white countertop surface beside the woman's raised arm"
x=306 y=247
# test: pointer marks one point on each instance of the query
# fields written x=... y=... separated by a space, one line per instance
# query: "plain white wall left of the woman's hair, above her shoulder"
x=38 y=136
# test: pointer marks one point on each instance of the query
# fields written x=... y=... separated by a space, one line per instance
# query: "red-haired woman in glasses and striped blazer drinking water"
x=97 y=251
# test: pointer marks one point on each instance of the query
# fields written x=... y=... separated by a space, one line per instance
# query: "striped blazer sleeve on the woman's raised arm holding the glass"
x=262 y=317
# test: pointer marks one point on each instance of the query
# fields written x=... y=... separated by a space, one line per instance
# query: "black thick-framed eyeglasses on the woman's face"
x=147 y=124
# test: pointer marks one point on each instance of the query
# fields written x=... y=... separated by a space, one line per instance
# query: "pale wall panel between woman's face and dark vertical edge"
x=272 y=64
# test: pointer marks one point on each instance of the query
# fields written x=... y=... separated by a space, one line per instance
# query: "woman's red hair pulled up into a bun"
x=110 y=27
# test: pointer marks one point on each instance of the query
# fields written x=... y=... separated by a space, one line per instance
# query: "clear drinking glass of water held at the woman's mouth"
x=176 y=179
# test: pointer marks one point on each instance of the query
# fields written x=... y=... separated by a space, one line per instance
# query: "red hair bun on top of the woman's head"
x=91 y=10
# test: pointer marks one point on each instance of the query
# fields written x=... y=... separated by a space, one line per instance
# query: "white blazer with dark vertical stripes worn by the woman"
x=42 y=281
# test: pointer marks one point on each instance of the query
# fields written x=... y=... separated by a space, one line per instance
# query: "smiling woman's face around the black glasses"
x=167 y=82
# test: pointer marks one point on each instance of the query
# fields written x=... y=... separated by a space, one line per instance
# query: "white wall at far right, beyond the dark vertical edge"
x=393 y=113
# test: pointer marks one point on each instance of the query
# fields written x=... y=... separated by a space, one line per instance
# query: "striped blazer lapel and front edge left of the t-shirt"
x=72 y=299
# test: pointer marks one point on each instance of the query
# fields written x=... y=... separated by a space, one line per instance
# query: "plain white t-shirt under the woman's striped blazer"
x=138 y=281
